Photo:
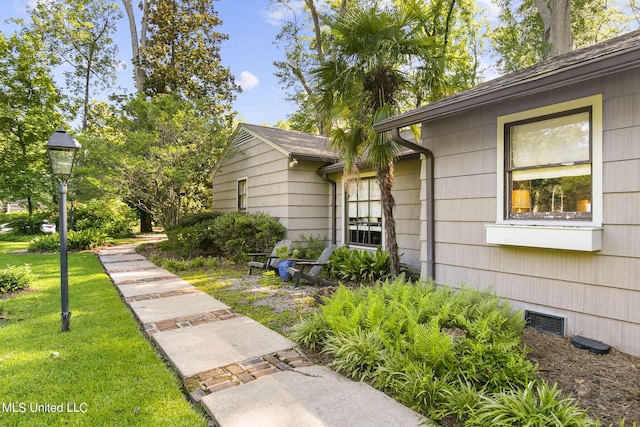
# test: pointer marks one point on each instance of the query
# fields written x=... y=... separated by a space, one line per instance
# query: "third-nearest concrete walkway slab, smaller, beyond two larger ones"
x=154 y=310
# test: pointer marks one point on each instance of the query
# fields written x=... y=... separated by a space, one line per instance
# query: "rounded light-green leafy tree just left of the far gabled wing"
x=157 y=154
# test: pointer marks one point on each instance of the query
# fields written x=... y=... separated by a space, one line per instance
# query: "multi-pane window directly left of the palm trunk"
x=364 y=225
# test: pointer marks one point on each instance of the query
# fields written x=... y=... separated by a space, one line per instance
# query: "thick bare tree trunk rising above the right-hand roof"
x=557 y=25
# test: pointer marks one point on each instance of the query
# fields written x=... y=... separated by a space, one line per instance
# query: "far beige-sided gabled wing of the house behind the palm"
x=297 y=178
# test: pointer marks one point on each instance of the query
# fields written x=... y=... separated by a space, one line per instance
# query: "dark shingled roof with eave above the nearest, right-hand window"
x=611 y=56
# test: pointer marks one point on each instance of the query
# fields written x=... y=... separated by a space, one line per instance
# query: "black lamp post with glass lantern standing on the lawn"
x=62 y=149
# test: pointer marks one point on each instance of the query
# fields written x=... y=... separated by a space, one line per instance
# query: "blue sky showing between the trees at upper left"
x=249 y=53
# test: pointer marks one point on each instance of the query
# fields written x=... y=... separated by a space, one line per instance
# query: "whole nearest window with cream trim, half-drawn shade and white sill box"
x=549 y=177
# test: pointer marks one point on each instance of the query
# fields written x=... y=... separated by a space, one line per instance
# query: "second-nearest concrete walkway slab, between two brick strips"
x=208 y=346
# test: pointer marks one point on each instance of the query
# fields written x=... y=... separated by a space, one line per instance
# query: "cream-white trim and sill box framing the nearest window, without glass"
x=579 y=236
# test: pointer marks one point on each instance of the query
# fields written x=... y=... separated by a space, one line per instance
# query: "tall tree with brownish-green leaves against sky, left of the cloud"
x=178 y=52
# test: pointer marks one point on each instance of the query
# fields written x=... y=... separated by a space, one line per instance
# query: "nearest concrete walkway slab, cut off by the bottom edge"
x=310 y=396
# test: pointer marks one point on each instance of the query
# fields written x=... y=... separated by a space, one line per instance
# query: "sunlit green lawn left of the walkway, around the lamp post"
x=102 y=372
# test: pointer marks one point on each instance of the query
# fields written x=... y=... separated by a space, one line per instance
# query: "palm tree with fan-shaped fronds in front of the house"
x=363 y=81
